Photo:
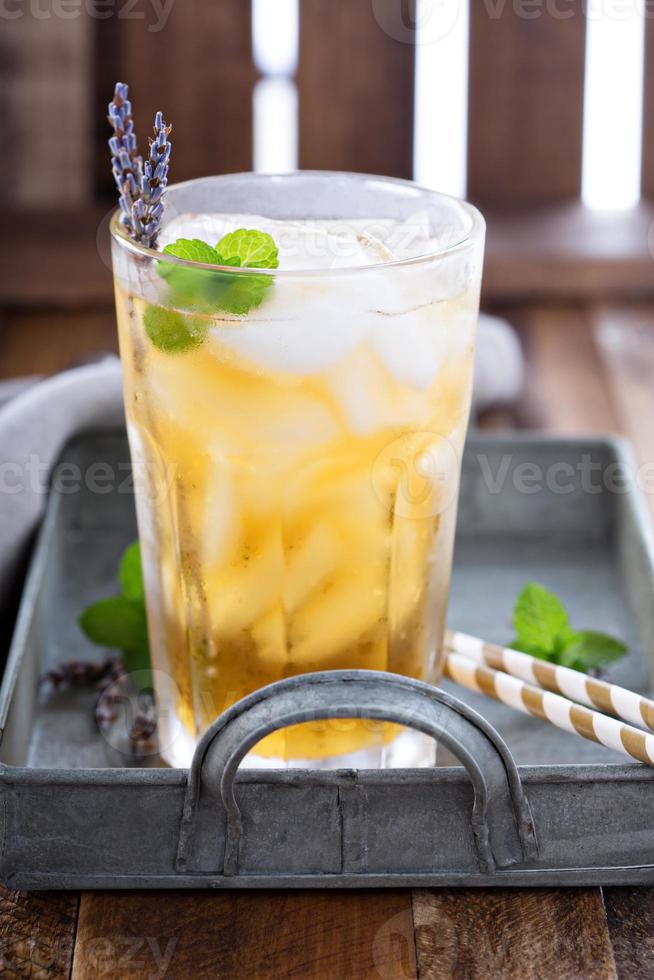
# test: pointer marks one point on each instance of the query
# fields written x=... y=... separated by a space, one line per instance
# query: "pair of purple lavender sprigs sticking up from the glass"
x=140 y=186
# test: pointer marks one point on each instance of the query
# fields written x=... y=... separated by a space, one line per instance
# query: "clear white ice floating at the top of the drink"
x=307 y=324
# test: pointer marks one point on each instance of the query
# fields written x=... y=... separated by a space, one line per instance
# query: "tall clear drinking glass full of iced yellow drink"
x=297 y=456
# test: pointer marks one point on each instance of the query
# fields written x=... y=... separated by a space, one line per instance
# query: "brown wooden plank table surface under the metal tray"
x=590 y=370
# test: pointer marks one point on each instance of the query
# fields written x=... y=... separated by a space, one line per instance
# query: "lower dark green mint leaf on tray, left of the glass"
x=119 y=624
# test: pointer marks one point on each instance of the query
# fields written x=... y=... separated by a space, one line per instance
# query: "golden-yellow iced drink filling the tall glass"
x=296 y=512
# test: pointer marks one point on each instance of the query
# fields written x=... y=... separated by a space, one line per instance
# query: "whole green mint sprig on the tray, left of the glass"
x=120 y=622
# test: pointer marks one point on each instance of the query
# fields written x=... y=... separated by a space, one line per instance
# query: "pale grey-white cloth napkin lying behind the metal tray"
x=37 y=418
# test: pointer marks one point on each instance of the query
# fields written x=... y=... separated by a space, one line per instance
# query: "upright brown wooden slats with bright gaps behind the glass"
x=355 y=83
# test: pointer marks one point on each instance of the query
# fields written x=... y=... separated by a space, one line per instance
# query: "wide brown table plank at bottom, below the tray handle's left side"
x=260 y=935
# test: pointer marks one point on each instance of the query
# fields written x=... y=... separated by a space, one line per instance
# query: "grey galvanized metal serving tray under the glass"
x=533 y=806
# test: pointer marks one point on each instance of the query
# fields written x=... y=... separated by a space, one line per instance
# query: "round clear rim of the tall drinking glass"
x=476 y=226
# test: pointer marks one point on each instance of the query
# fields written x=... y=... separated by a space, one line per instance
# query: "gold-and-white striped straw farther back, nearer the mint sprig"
x=610 y=698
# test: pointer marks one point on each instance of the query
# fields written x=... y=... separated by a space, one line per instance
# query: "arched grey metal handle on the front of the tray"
x=501 y=820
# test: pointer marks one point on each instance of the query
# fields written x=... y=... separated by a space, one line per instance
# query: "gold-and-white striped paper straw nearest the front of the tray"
x=550 y=707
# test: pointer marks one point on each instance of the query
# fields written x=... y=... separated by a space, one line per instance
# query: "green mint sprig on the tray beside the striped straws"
x=543 y=630
